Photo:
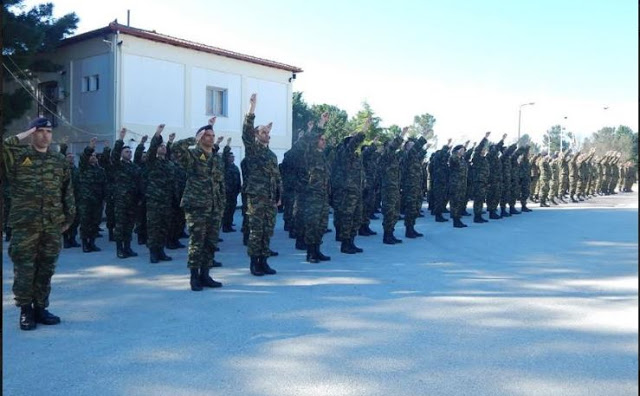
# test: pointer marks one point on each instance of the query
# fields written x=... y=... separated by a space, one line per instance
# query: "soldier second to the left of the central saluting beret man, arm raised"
x=128 y=192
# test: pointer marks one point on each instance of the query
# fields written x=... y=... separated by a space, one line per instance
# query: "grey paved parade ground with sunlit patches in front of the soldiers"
x=543 y=303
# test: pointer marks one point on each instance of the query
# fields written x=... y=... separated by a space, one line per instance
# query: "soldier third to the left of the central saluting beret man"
x=90 y=193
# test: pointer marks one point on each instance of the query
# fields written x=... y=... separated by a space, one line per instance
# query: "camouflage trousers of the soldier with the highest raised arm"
x=261 y=214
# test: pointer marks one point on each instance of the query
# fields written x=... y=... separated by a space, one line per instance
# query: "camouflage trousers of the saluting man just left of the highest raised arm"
x=202 y=238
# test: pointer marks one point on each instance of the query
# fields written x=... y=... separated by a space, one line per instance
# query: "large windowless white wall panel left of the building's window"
x=152 y=91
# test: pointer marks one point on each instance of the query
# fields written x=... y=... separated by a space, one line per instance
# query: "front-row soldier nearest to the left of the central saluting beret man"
x=161 y=194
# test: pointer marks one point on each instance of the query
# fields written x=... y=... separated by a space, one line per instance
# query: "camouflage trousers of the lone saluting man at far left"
x=34 y=250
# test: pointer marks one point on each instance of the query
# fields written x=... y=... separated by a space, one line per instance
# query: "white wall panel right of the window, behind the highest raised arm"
x=271 y=104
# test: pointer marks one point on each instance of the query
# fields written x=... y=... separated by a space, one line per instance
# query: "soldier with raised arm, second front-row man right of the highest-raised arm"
x=346 y=184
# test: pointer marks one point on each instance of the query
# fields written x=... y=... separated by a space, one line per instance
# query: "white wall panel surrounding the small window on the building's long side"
x=200 y=80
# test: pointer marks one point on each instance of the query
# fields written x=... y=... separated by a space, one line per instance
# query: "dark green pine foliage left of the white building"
x=27 y=34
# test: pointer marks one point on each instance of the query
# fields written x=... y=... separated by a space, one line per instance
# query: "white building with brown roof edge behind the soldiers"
x=120 y=76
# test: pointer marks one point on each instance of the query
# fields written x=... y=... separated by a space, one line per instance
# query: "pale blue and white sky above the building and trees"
x=469 y=63
